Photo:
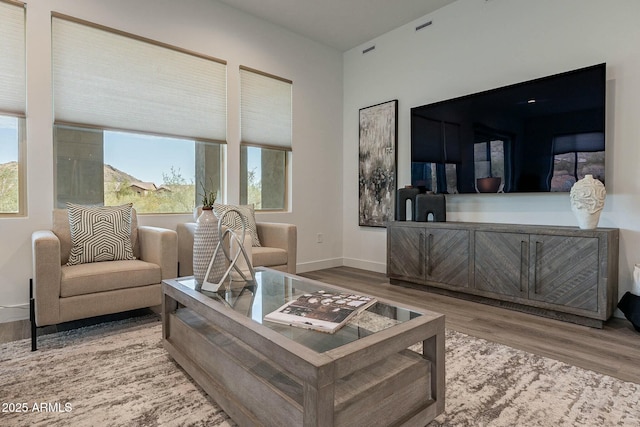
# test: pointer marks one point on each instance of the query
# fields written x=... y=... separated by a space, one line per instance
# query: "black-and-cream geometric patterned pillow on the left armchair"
x=100 y=233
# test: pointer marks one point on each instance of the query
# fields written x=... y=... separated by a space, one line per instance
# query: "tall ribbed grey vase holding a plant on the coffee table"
x=205 y=240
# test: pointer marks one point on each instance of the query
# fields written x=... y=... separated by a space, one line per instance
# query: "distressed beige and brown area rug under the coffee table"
x=118 y=374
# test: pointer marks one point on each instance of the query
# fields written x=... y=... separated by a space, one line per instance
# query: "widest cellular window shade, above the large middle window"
x=113 y=80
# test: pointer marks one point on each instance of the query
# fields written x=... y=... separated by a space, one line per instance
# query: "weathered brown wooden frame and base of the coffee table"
x=260 y=379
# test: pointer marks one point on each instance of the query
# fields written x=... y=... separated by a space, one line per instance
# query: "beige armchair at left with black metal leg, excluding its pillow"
x=62 y=293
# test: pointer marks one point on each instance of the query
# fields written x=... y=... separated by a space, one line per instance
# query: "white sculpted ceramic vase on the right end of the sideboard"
x=587 y=200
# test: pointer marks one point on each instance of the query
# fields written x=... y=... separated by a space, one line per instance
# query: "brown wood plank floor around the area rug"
x=613 y=350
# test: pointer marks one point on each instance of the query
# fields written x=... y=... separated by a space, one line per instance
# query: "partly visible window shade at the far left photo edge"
x=12 y=64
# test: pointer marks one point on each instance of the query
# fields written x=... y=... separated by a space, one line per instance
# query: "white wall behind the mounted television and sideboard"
x=475 y=45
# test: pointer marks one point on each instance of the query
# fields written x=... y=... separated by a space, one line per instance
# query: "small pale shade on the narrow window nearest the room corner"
x=265 y=110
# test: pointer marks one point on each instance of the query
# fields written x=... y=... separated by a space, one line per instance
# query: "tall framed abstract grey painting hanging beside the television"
x=377 y=163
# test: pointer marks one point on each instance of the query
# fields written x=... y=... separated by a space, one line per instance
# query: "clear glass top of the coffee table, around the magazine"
x=272 y=289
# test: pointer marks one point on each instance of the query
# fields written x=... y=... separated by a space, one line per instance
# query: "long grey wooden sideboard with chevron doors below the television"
x=561 y=272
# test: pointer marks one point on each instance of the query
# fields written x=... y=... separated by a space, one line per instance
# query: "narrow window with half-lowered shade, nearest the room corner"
x=265 y=126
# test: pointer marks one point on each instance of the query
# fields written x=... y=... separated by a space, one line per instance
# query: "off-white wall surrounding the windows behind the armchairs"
x=210 y=28
